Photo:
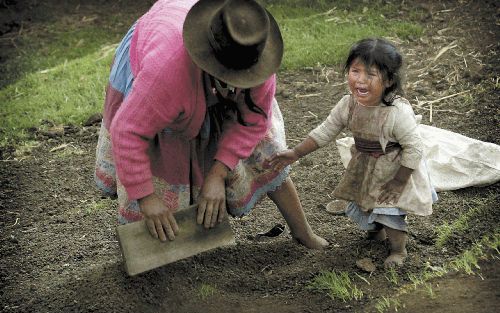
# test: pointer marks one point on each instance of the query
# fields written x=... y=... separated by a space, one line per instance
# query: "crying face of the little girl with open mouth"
x=366 y=84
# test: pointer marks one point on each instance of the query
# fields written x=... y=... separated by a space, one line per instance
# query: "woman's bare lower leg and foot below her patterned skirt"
x=288 y=202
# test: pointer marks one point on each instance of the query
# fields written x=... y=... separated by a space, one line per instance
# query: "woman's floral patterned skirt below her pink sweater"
x=250 y=180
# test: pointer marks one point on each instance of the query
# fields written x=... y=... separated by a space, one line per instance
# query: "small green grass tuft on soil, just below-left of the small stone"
x=338 y=285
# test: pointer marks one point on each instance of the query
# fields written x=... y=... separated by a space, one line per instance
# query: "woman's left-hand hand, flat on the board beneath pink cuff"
x=159 y=219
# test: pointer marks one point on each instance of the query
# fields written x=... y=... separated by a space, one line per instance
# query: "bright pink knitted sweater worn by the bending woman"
x=168 y=93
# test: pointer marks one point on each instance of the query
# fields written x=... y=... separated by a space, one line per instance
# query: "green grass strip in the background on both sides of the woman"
x=59 y=71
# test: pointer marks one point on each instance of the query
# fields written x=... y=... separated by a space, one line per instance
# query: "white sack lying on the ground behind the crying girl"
x=454 y=161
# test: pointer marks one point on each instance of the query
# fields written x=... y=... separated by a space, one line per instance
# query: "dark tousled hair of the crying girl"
x=383 y=55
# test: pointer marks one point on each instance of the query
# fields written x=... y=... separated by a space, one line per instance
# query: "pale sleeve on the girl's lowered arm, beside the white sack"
x=406 y=134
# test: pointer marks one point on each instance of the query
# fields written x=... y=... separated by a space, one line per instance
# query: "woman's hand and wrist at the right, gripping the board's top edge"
x=212 y=199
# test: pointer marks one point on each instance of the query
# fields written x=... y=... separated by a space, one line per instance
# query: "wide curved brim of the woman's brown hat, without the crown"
x=195 y=34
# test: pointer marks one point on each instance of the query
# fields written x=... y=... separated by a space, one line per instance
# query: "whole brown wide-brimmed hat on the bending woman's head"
x=236 y=41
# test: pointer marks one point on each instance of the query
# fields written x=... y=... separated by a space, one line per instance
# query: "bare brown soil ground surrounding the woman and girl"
x=60 y=255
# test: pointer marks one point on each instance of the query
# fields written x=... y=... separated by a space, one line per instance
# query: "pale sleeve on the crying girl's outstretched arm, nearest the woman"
x=333 y=125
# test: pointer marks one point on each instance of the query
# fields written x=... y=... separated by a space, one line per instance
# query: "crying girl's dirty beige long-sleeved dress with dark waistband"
x=385 y=137
